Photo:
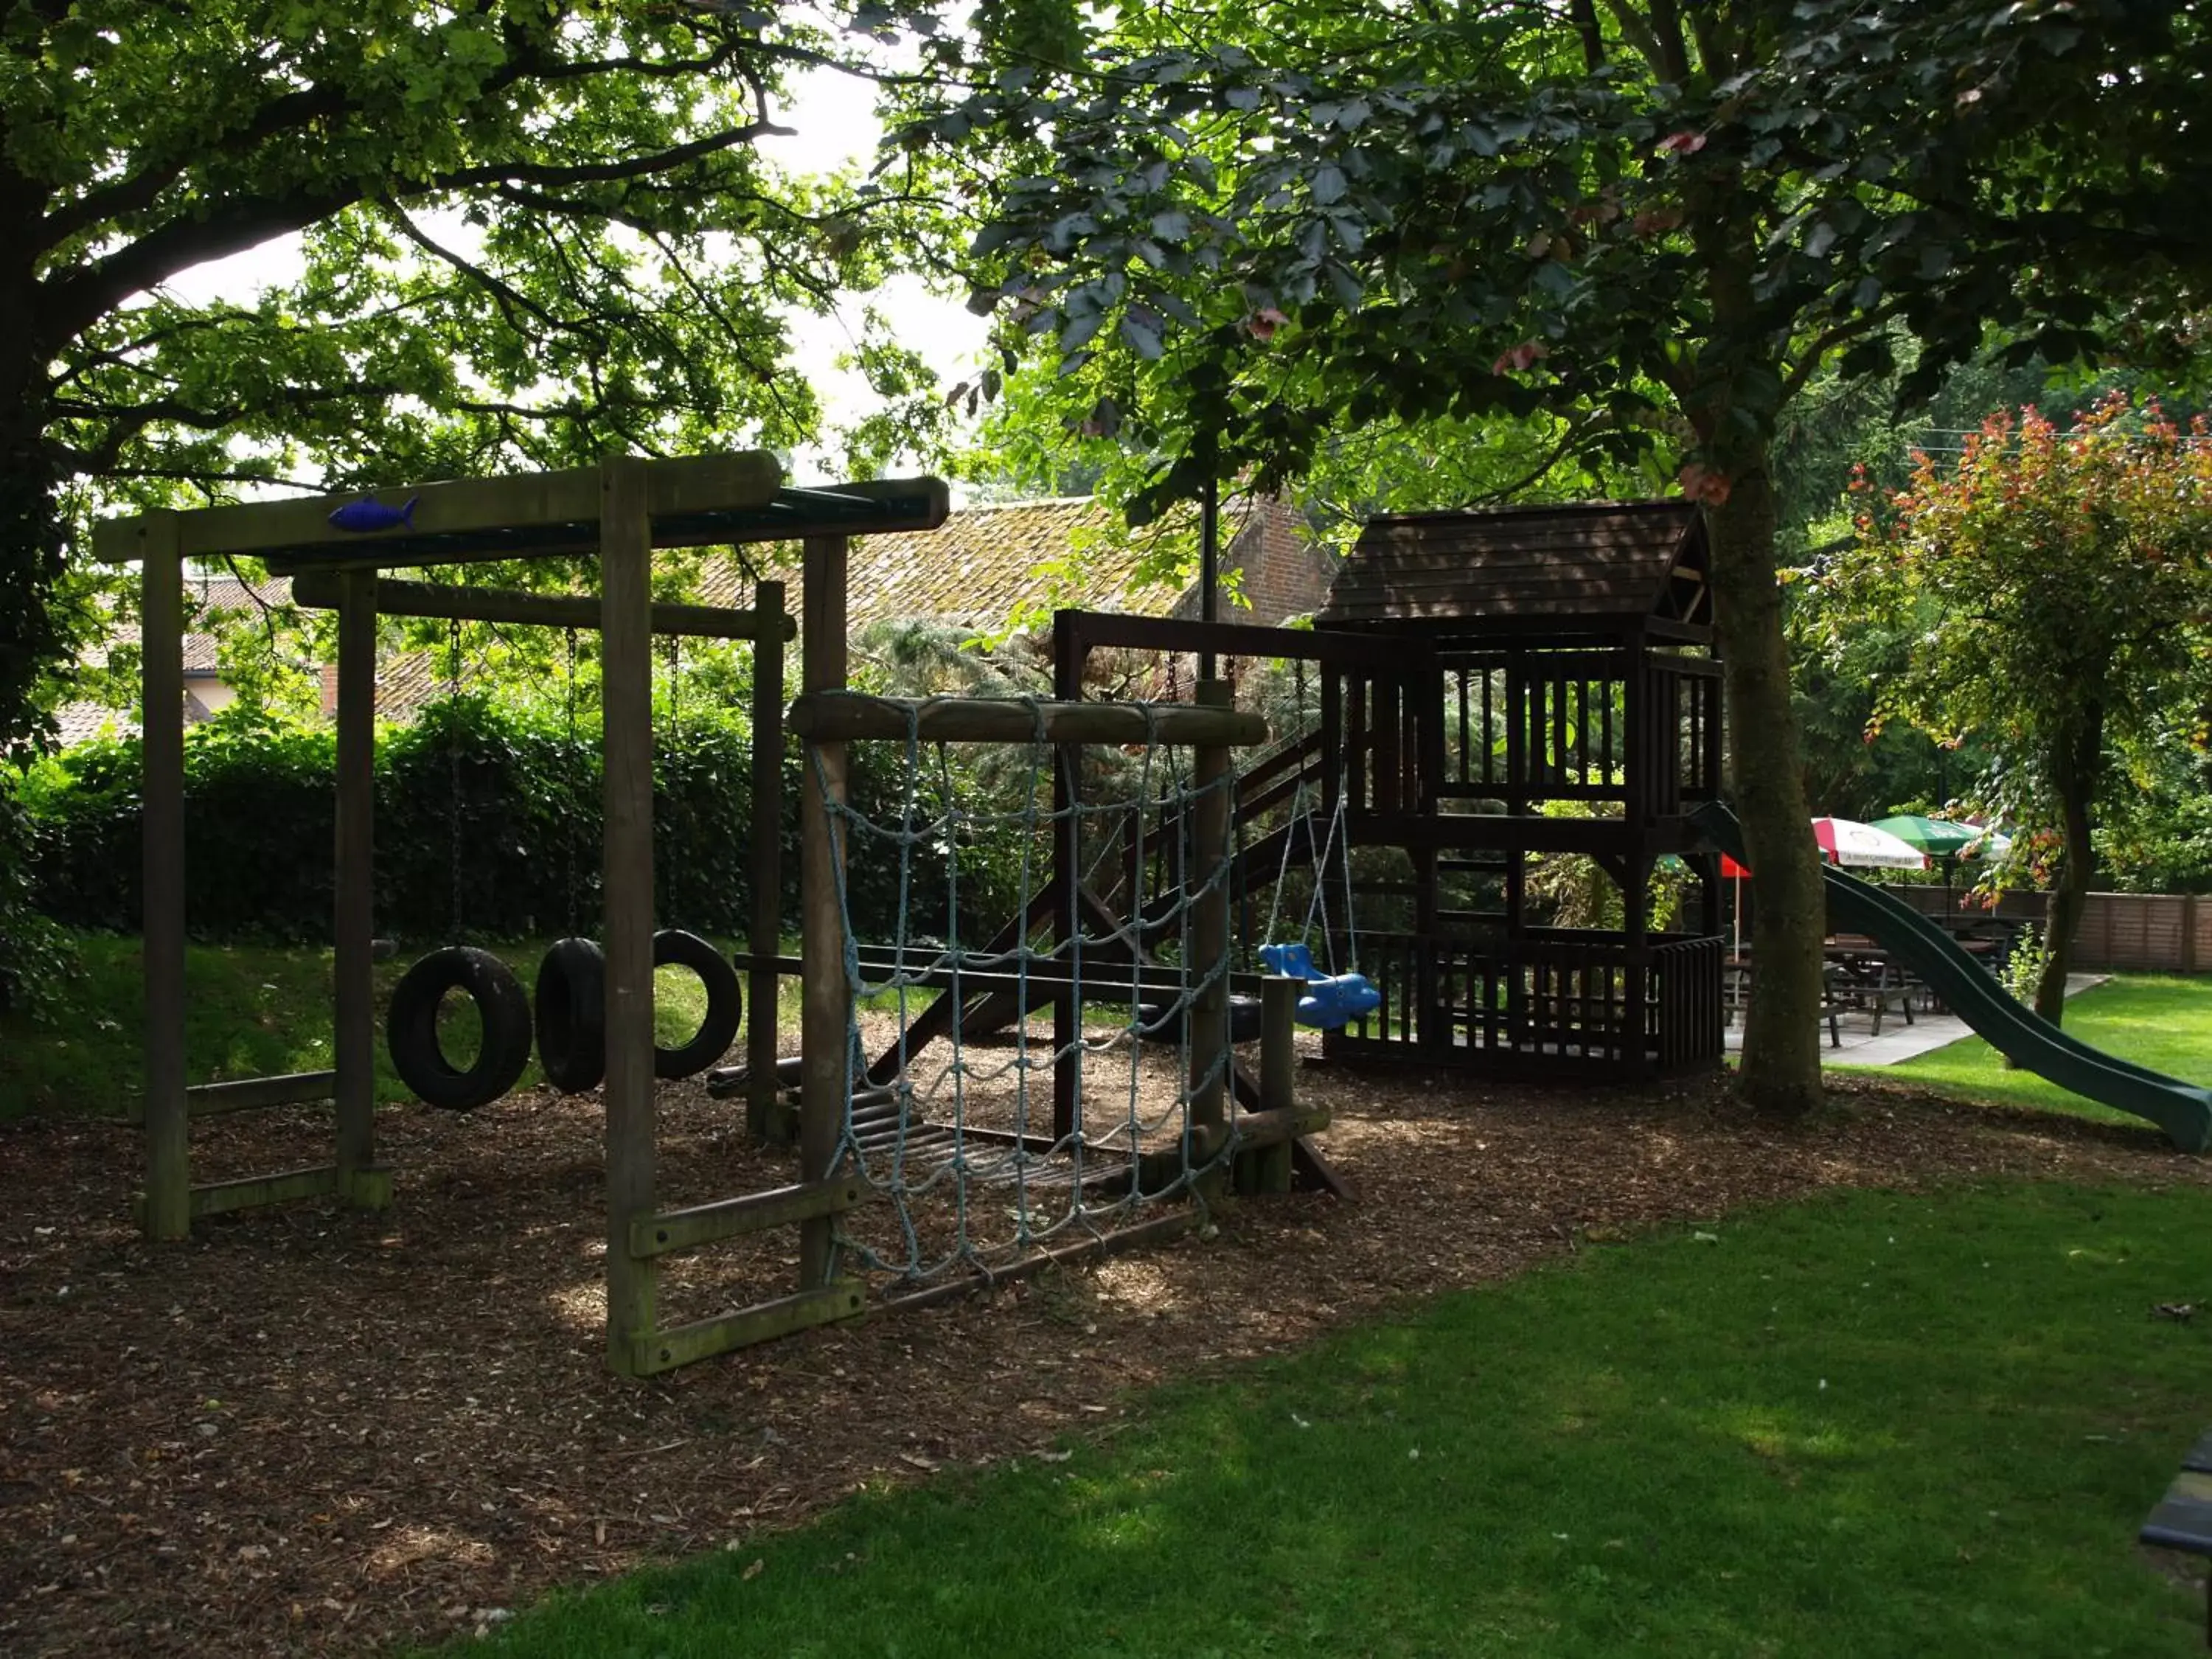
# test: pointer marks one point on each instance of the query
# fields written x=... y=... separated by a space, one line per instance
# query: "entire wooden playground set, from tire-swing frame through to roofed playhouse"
x=1477 y=671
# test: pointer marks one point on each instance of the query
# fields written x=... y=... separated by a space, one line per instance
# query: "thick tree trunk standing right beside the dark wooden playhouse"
x=1782 y=1034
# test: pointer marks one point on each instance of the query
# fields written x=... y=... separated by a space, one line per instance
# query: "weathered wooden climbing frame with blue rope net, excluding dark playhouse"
x=623 y=512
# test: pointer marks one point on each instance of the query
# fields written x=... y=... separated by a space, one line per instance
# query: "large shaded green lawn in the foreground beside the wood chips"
x=1864 y=1426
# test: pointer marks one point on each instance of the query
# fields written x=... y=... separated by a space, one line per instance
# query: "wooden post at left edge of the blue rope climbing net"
x=822 y=946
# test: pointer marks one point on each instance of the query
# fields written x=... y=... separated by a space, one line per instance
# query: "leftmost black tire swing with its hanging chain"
x=501 y=1008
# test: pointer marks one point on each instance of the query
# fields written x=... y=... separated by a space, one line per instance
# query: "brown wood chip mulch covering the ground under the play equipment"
x=322 y=1432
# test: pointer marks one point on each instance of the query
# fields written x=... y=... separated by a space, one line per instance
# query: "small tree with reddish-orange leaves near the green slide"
x=2060 y=587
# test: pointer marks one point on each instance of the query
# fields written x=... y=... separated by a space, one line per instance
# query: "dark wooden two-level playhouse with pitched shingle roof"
x=1558 y=696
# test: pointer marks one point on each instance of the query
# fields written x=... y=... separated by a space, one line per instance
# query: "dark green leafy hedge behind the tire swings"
x=508 y=784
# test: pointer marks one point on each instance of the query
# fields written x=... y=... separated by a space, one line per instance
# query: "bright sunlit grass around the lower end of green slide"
x=2160 y=1023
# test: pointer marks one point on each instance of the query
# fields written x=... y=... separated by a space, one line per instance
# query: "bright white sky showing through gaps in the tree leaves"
x=835 y=127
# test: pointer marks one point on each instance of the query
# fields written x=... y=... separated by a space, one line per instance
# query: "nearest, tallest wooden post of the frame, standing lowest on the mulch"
x=627 y=702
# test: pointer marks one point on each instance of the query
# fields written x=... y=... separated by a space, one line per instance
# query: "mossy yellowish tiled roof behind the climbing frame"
x=985 y=565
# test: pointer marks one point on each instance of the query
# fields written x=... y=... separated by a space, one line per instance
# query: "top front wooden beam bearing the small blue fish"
x=459 y=505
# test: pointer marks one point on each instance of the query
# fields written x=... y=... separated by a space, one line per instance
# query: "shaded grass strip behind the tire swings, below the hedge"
x=251 y=1012
